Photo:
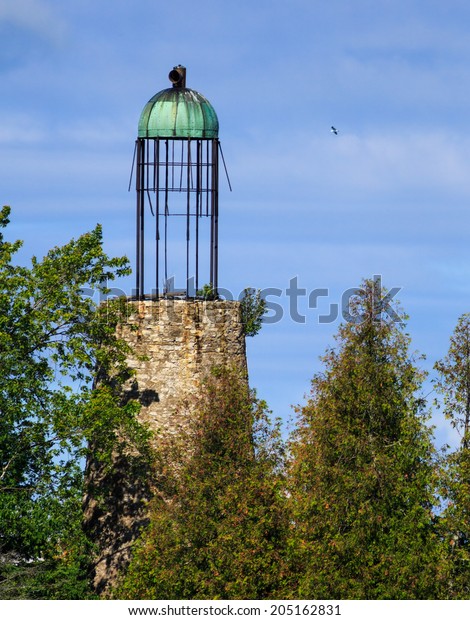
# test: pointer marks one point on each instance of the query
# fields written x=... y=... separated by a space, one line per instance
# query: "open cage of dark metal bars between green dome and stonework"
x=190 y=167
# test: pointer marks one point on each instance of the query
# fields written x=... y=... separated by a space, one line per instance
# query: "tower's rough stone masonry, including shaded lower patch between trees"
x=181 y=340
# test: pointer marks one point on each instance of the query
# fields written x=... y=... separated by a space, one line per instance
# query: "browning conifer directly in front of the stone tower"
x=217 y=526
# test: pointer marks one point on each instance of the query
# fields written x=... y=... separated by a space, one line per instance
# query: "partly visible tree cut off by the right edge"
x=453 y=384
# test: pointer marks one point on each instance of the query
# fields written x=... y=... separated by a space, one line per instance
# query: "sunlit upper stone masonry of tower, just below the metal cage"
x=182 y=340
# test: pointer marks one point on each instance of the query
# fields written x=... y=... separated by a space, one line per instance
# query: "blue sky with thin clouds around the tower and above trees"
x=389 y=195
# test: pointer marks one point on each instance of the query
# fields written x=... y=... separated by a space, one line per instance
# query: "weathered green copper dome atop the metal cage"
x=178 y=113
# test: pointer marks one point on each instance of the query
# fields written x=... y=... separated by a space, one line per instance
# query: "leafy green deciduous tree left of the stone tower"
x=54 y=344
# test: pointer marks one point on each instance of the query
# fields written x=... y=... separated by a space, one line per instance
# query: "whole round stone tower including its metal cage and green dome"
x=177 y=336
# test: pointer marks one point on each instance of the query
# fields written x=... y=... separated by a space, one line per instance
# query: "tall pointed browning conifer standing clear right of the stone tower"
x=361 y=474
